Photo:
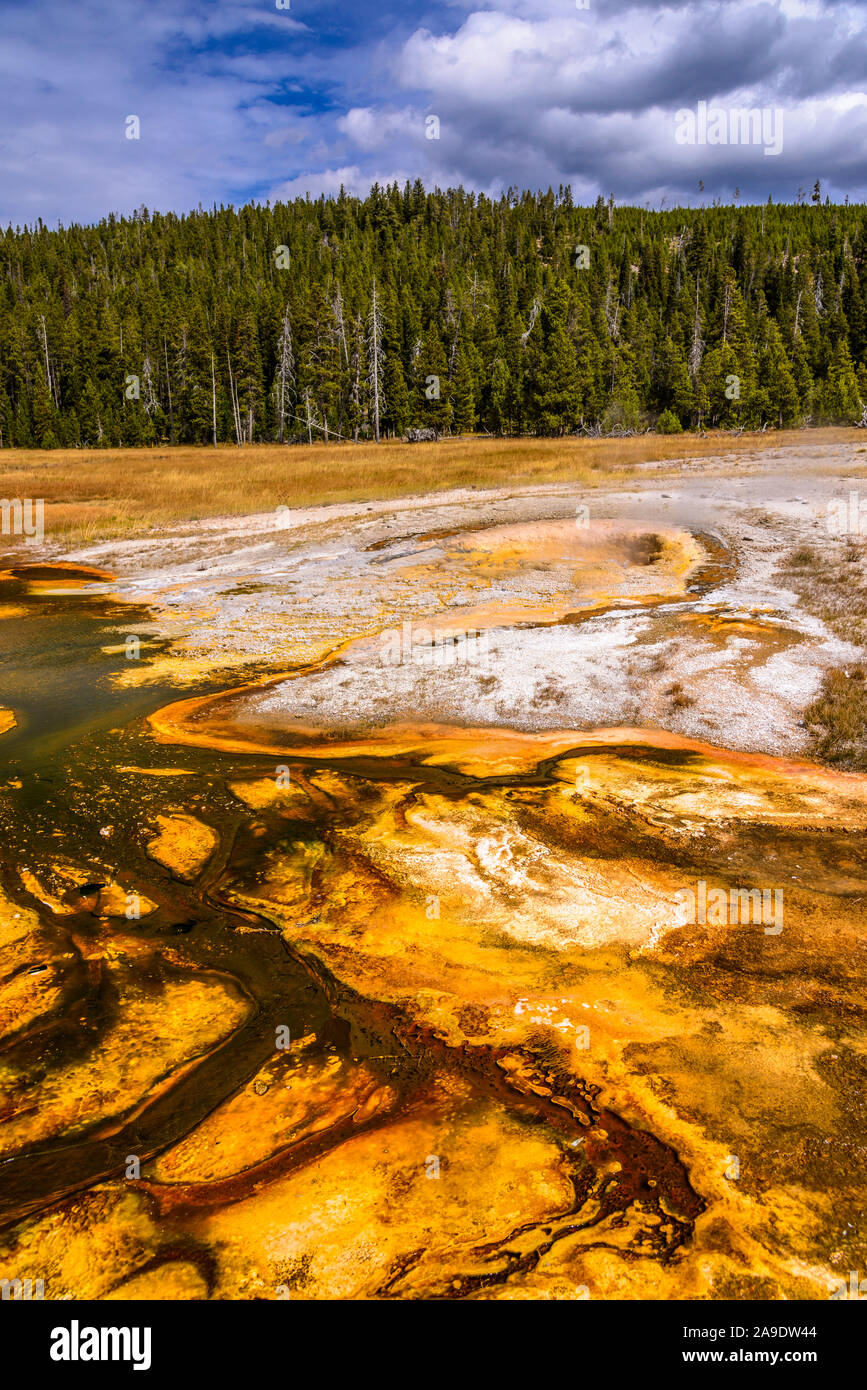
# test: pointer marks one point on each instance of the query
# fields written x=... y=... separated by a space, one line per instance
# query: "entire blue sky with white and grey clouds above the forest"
x=244 y=101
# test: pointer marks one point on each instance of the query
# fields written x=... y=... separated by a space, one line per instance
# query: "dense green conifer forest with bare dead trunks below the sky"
x=445 y=311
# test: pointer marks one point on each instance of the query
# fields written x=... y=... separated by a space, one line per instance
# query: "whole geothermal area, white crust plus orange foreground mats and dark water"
x=342 y=933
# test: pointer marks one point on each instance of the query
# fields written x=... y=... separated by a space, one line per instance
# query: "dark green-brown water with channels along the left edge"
x=67 y=797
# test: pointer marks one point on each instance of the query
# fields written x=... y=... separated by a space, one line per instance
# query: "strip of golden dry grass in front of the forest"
x=94 y=496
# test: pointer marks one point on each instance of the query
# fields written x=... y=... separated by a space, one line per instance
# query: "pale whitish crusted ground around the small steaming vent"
x=573 y=640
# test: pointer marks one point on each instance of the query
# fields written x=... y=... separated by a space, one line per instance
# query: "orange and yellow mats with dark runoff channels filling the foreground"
x=438 y=1125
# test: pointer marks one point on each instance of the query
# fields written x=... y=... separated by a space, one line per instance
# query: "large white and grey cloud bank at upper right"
x=530 y=95
